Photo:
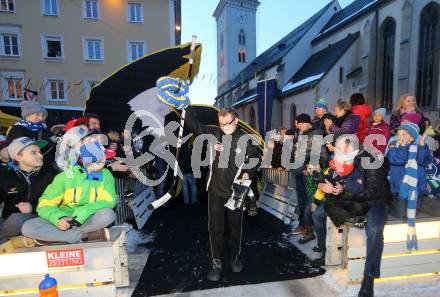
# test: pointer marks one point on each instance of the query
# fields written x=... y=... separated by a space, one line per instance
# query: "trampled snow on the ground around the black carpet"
x=333 y=282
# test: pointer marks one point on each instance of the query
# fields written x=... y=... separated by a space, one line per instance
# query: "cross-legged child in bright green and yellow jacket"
x=76 y=208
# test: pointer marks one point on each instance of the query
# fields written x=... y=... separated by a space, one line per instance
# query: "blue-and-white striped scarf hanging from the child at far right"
x=408 y=191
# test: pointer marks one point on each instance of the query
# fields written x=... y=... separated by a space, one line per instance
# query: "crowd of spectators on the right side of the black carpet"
x=339 y=187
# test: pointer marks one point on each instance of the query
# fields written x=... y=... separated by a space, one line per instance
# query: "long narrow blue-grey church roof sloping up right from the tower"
x=275 y=53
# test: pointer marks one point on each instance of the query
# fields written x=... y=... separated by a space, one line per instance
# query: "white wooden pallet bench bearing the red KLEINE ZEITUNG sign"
x=96 y=269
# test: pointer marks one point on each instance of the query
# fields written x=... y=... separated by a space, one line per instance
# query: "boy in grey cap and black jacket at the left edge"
x=22 y=182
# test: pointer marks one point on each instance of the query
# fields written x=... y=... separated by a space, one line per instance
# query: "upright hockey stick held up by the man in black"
x=164 y=199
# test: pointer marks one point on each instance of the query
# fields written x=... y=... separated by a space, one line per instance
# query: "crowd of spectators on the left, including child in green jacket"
x=59 y=188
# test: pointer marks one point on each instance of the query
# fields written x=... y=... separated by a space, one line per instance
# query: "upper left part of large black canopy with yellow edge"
x=132 y=87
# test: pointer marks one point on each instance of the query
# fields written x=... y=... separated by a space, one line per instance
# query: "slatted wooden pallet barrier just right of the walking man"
x=279 y=193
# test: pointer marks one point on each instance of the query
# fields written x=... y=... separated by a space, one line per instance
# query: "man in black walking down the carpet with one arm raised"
x=222 y=175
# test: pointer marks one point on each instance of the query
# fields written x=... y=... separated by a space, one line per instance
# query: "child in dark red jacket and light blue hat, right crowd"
x=378 y=126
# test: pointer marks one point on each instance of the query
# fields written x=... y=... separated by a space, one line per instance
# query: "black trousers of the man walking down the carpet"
x=224 y=225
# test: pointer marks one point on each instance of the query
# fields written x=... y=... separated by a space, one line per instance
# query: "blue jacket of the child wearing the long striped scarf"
x=398 y=157
